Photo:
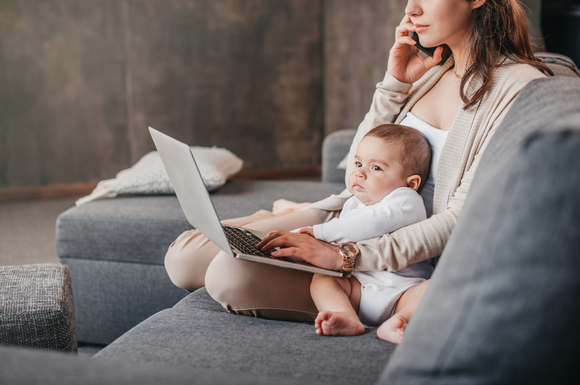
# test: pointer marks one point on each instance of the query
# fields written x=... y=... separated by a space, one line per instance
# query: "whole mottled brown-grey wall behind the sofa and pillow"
x=80 y=81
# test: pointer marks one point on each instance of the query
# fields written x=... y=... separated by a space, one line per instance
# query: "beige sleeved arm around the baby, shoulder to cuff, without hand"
x=427 y=239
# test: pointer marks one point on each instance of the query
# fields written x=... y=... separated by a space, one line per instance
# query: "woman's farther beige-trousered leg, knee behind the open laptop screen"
x=189 y=256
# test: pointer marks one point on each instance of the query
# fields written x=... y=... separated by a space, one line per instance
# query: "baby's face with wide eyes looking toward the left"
x=377 y=171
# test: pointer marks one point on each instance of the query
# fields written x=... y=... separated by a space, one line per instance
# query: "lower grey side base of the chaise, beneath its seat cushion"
x=112 y=297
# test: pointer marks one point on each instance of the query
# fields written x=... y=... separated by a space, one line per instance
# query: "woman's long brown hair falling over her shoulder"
x=500 y=29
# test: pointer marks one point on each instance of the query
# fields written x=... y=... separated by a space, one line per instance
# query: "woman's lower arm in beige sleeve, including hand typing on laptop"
x=425 y=239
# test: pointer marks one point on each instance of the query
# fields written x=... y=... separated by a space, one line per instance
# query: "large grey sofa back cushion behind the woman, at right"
x=502 y=306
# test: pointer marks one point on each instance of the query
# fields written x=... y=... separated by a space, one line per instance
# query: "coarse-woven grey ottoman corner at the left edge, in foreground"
x=36 y=307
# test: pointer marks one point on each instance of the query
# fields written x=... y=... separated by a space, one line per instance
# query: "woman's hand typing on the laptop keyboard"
x=303 y=246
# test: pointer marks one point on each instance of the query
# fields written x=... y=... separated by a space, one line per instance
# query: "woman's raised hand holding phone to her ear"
x=405 y=63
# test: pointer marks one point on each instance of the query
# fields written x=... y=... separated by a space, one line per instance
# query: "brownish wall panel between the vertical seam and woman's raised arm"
x=357 y=38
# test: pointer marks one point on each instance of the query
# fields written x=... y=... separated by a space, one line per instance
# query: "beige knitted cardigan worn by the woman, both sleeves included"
x=468 y=136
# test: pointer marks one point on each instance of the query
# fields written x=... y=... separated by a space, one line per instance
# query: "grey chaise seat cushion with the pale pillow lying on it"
x=139 y=229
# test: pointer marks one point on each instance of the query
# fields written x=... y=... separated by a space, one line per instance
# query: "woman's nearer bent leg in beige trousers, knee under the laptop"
x=261 y=290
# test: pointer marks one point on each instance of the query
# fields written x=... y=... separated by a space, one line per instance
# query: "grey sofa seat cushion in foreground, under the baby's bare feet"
x=199 y=334
